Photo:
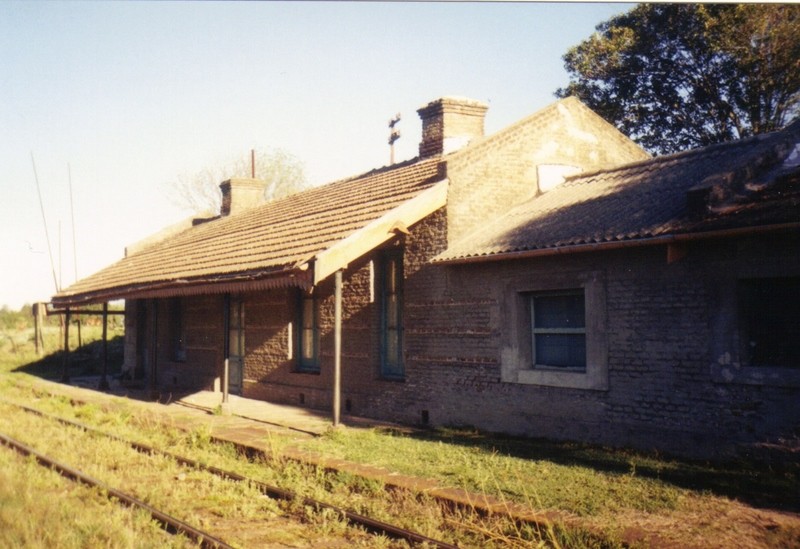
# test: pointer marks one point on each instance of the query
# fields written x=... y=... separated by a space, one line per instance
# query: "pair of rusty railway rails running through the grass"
x=175 y=525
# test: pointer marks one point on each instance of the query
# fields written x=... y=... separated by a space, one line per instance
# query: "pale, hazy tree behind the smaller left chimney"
x=200 y=192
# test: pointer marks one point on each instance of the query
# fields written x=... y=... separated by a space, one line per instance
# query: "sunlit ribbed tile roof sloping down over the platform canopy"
x=268 y=240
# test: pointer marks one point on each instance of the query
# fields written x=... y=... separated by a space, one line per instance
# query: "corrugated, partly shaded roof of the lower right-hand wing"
x=745 y=183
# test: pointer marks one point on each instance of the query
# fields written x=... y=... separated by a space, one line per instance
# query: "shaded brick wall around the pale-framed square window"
x=662 y=344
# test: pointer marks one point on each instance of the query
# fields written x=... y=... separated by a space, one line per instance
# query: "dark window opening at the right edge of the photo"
x=769 y=321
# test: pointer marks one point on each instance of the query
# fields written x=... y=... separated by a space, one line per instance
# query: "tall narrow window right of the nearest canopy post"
x=391 y=316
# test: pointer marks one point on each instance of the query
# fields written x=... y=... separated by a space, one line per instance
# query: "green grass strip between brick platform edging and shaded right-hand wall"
x=581 y=479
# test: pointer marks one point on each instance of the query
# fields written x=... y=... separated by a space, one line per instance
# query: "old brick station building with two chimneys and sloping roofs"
x=549 y=280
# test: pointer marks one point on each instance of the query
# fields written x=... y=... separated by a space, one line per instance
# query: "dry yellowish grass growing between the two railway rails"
x=234 y=511
